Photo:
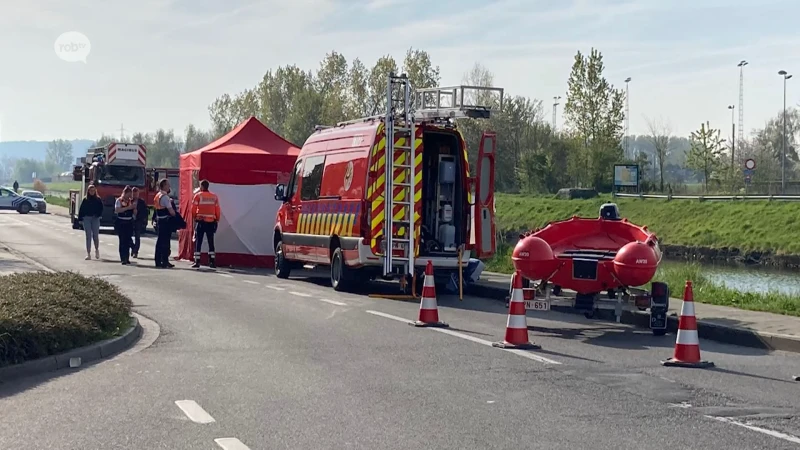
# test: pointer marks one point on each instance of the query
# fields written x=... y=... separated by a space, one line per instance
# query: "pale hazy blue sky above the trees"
x=160 y=63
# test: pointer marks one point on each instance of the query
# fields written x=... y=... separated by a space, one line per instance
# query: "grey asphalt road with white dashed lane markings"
x=243 y=360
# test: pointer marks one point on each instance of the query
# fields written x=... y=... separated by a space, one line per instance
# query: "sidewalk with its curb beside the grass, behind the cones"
x=719 y=323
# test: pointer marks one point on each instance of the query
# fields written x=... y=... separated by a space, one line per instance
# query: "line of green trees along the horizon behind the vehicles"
x=539 y=159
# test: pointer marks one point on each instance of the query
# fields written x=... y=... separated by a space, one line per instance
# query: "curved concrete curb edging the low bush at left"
x=93 y=352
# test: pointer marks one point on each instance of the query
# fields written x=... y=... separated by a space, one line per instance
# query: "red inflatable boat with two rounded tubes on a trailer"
x=590 y=256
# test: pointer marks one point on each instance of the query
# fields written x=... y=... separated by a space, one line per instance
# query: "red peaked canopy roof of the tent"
x=249 y=154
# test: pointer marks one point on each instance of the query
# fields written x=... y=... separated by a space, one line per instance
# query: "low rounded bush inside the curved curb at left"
x=44 y=314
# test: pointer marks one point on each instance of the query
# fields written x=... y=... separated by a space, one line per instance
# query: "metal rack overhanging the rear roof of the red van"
x=460 y=102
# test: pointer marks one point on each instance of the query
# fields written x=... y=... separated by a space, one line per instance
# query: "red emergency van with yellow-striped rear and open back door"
x=333 y=205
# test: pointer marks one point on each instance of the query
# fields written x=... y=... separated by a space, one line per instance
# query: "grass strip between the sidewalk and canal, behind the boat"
x=705 y=291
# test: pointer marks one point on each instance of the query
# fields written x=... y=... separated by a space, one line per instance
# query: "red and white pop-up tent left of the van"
x=243 y=167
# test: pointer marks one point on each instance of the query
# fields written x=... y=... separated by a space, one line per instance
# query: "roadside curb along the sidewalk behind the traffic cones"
x=711 y=331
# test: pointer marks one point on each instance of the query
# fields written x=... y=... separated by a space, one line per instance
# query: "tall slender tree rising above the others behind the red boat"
x=594 y=112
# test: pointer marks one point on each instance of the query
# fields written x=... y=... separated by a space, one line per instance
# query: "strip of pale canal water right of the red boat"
x=750 y=278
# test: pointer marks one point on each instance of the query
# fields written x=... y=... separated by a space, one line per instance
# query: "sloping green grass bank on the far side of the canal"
x=748 y=226
